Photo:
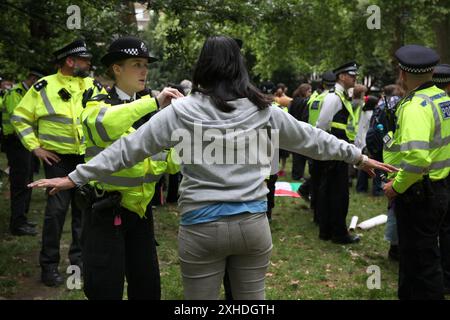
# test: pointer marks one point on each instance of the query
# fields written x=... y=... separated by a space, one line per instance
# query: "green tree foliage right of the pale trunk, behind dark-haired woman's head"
x=287 y=39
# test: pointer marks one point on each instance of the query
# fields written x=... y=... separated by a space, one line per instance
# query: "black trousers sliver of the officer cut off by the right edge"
x=444 y=243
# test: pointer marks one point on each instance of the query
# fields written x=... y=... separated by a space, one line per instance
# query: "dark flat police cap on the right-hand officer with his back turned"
x=416 y=59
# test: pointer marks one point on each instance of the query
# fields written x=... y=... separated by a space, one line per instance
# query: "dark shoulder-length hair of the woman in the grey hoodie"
x=220 y=73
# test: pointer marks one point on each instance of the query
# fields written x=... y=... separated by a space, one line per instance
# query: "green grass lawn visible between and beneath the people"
x=302 y=266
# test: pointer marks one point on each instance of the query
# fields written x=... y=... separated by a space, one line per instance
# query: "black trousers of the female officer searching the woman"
x=112 y=252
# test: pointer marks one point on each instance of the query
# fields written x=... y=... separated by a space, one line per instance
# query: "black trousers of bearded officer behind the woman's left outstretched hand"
x=55 y=215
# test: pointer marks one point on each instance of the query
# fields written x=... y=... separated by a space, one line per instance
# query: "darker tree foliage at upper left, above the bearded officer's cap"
x=32 y=29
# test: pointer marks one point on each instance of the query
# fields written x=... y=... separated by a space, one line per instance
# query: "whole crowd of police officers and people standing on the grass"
x=104 y=151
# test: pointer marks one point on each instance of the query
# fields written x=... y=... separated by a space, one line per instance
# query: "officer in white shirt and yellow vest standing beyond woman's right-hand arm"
x=336 y=116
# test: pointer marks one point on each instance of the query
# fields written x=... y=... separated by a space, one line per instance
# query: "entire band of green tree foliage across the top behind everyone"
x=284 y=40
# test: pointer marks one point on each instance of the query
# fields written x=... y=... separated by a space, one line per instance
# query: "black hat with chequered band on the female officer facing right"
x=125 y=48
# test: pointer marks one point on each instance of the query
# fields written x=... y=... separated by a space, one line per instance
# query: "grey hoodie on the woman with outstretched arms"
x=208 y=183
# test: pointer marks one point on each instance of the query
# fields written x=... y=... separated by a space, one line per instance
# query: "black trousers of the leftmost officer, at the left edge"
x=20 y=162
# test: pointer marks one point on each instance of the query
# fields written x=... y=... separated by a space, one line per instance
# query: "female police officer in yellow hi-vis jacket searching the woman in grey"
x=118 y=238
